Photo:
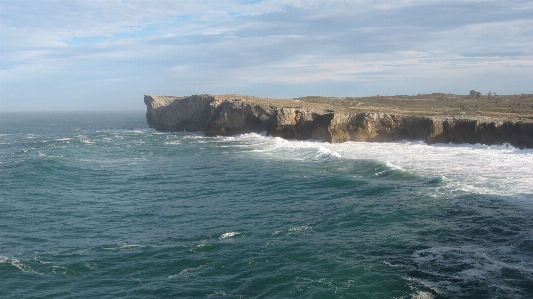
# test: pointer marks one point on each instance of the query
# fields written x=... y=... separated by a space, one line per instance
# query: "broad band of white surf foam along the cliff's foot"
x=501 y=170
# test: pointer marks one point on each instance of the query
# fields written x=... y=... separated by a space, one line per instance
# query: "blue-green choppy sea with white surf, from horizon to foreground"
x=98 y=205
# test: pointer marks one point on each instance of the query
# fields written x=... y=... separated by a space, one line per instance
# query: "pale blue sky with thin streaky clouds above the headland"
x=105 y=55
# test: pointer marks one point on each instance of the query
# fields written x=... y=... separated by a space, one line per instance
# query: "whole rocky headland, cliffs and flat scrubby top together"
x=433 y=118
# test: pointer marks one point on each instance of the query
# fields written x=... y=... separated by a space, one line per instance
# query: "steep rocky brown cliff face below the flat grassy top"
x=228 y=117
